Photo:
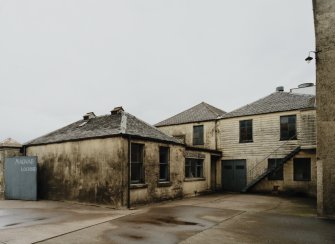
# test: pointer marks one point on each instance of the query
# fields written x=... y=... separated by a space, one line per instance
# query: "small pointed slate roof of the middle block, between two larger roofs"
x=201 y=112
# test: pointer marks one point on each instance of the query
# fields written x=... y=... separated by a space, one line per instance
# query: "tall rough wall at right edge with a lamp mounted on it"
x=324 y=20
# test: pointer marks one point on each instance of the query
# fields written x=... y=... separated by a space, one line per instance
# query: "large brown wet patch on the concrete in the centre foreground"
x=166 y=224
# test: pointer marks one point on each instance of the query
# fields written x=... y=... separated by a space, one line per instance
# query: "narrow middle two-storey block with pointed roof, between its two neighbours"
x=197 y=127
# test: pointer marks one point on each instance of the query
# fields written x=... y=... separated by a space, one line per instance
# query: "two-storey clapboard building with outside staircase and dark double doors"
x=270 y=144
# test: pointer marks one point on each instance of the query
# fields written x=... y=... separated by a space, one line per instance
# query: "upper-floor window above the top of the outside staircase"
x=288 y=127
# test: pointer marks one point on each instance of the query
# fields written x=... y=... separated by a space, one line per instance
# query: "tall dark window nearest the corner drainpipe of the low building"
x=137 y=173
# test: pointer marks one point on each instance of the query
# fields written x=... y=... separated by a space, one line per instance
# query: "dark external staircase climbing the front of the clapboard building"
x=259 y=171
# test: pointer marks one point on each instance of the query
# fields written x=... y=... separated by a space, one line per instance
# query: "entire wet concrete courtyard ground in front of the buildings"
x=218 y=218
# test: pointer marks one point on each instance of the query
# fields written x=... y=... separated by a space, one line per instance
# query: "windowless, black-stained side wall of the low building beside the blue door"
x=88 y=170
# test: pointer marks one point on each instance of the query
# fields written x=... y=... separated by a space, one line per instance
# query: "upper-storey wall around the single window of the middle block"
x=187 y=131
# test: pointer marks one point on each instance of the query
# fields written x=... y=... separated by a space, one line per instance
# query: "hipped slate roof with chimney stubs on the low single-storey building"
x=104 y=126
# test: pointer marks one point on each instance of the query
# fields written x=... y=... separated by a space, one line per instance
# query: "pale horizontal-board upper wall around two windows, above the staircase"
x=266 y=140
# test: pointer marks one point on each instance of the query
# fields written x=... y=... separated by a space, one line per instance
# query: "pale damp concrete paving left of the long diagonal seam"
x=30 y=222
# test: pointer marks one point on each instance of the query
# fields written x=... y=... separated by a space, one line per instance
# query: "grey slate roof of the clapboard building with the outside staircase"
x=275 y=102
